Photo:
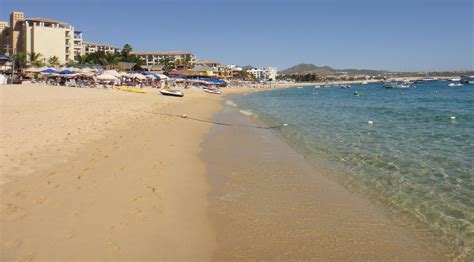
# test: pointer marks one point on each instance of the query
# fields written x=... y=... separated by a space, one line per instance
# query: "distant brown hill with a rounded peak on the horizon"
x=311 y=68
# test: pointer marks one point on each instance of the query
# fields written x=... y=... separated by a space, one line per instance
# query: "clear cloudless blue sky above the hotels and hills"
x=401 y=35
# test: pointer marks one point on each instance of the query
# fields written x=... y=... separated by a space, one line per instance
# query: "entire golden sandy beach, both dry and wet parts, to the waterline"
x=97 y=174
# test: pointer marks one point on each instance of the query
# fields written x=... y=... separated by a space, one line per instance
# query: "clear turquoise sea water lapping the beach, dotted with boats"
x=413 y=158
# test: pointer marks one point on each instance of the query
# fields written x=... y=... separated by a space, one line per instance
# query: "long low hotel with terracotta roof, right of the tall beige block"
x=156 y=58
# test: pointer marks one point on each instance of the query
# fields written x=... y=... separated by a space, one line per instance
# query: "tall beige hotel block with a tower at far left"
x=40 y=35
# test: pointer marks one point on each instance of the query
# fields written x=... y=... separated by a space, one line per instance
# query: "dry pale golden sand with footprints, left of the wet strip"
x=87 y=174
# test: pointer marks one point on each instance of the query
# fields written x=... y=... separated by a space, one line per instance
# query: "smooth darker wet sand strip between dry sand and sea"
x=268 y=203
